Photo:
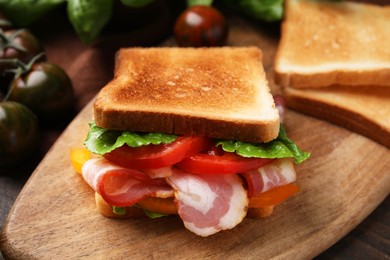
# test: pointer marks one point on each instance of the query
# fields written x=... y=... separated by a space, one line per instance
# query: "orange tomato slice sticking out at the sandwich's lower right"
x=274 y=196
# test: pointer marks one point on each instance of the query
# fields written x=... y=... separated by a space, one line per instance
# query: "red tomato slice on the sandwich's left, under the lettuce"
x=158 y=156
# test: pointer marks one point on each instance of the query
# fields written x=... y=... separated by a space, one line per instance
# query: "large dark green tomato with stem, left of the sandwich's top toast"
x=45 y=88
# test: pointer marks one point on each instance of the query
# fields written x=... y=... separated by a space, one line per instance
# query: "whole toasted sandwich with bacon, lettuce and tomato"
x=193 y=132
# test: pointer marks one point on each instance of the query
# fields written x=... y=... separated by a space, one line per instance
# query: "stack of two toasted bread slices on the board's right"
x=332 y=64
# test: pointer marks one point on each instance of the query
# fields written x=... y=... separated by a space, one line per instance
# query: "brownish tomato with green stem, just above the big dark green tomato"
x=19 y=44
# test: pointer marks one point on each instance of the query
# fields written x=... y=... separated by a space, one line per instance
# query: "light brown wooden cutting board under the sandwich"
x=346 y=177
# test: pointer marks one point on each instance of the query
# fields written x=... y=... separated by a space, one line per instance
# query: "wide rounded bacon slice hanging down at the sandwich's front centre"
x=208 y=204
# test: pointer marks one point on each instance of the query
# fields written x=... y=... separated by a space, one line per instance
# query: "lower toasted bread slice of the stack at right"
x=364 y=110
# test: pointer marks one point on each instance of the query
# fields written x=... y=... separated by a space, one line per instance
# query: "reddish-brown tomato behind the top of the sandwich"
x=199 y=26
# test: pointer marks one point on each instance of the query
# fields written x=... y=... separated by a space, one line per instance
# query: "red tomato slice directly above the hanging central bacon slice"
x=220 y=163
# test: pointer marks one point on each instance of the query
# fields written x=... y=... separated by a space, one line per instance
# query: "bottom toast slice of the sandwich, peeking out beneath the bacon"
x=135 y=212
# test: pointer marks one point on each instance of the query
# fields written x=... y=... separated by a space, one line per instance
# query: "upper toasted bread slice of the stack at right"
x=327 y=43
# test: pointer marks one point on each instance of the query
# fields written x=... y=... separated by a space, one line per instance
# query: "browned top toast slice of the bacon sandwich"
x=216 y=92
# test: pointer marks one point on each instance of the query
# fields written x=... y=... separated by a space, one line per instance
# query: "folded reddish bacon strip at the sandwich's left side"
x=121 y=186
